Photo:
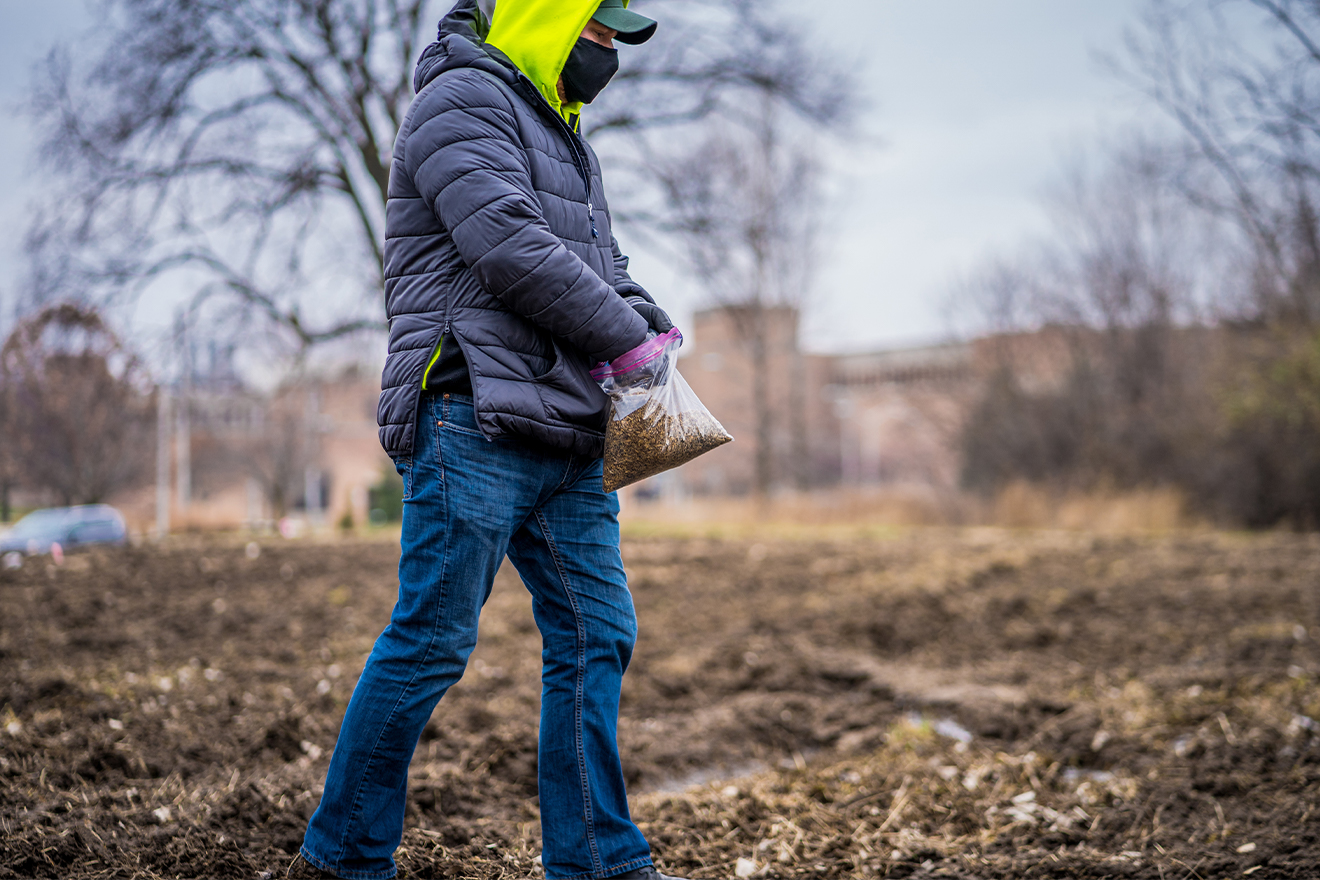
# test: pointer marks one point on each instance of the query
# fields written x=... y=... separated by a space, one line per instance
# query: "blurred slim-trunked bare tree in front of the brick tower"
x=733 y=181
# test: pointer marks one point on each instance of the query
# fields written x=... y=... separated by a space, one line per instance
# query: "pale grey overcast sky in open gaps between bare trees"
x=975 y=106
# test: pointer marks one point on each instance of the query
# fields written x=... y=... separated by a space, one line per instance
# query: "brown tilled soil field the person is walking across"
x=926 y=704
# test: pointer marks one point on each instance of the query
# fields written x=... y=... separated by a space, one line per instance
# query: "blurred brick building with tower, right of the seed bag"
x=885 y=419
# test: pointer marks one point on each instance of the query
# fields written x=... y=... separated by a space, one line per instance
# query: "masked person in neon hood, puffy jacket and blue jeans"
x=505 y=287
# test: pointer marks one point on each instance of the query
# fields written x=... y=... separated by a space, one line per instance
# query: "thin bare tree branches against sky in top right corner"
x=1248 y=111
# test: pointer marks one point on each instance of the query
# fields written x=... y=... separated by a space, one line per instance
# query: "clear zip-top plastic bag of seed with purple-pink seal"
x=657 y=422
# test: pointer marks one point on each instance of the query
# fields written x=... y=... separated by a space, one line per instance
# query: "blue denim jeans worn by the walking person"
x=468 y=503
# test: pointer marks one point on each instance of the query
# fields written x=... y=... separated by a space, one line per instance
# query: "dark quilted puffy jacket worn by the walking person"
x=498 y=236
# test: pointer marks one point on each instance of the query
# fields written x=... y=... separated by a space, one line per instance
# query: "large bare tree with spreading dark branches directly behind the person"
x=241 y=148
